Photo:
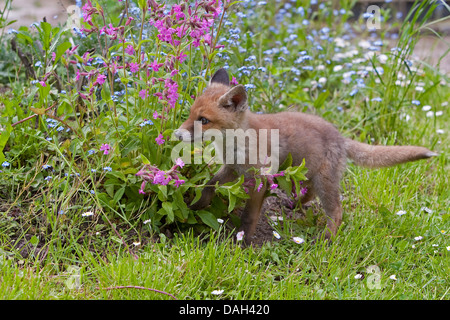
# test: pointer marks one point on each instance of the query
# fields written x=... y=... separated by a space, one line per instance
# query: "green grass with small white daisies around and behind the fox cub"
x=377 y=254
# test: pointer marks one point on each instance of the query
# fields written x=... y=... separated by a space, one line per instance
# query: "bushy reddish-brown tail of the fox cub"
x=384 y=156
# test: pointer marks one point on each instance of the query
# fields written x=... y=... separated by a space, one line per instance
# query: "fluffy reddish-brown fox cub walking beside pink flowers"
x=302 y=135
